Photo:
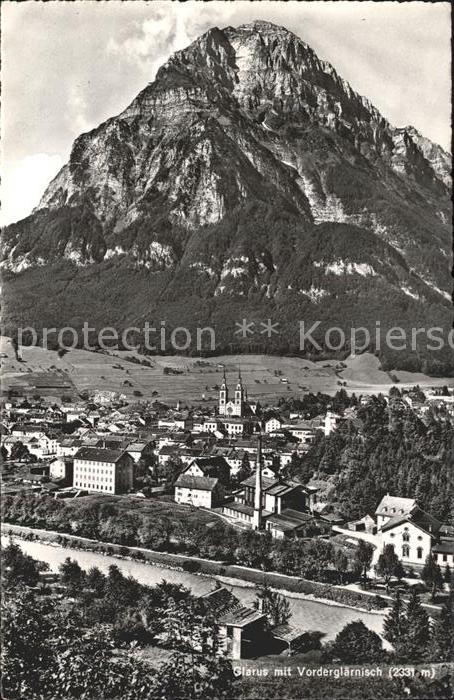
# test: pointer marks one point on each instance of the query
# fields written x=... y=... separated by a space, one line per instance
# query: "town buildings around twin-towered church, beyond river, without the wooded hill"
x=240 y=460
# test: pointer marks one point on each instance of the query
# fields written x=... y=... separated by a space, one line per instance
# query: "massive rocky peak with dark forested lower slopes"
x=248 y=180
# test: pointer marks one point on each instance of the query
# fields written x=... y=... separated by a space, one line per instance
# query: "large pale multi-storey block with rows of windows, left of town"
x=103 y=470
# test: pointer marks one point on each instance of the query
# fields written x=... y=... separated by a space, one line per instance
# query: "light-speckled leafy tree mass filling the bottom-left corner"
x=49 y=654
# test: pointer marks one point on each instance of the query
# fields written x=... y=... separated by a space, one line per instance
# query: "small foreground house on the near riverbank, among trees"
x=242 y=630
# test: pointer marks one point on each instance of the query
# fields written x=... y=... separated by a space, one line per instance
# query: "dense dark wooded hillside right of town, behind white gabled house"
x=392 y=451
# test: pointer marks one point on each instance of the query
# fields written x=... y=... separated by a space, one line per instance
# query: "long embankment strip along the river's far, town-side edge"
x=291 y=586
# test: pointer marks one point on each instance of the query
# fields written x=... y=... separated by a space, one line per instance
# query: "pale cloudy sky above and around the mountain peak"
x=67 y=66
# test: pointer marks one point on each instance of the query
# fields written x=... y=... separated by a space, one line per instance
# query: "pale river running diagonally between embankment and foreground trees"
x=306 y=613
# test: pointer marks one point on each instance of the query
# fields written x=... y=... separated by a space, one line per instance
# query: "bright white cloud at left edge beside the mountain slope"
x=24 y=182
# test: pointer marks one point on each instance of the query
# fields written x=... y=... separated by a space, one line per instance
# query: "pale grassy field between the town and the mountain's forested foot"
x=266 y=377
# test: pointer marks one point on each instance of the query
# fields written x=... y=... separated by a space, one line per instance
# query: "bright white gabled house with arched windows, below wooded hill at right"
x=412 y=534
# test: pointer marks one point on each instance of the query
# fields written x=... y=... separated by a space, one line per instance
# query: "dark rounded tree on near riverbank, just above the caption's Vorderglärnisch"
x=357 y=644
